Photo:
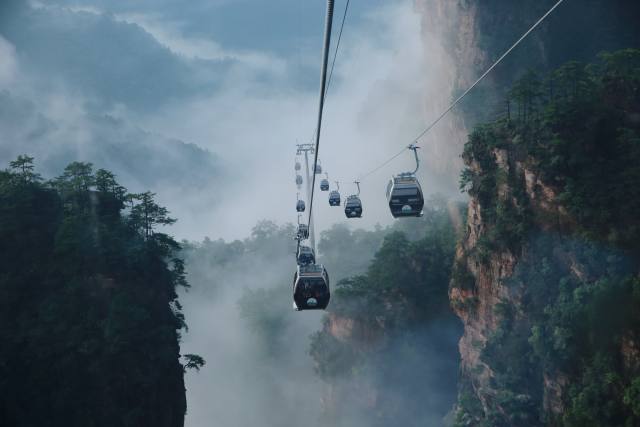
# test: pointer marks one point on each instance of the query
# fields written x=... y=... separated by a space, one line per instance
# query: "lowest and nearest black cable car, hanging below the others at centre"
x=311 y=288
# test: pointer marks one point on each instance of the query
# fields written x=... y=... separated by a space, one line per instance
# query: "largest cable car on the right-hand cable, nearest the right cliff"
x=404 y=195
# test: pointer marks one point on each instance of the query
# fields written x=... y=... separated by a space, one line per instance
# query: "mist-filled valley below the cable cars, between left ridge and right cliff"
x=270 y=365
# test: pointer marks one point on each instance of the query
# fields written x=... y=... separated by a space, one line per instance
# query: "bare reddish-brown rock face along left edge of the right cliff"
x=477 y=299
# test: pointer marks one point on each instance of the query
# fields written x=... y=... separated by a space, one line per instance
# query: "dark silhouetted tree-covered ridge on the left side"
x=89 y=313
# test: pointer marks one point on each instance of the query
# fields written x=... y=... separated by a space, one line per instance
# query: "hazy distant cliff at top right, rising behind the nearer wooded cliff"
x=475 y=33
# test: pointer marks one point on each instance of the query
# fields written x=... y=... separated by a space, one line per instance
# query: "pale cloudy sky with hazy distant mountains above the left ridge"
x=127 y=85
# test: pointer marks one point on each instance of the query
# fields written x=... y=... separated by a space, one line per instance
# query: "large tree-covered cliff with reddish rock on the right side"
x=547 y=278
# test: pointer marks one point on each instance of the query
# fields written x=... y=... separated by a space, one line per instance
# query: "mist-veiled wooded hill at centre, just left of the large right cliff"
x=403 y=335
